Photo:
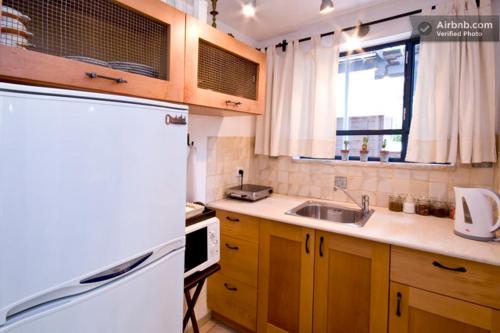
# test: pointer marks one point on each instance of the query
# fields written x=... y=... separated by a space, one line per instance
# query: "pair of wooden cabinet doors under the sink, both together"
x=313 y=281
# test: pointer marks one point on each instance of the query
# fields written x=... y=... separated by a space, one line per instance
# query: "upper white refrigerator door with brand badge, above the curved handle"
x=85 y=182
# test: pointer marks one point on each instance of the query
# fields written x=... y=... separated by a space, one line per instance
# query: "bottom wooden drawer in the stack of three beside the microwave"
x=233 y=300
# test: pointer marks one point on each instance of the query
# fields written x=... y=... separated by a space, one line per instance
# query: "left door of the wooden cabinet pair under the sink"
x=286 y=268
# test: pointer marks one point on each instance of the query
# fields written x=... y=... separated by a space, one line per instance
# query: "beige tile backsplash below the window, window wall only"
x=315 y=178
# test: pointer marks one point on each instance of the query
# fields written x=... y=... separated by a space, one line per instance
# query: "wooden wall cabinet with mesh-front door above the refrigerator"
x=143 y=36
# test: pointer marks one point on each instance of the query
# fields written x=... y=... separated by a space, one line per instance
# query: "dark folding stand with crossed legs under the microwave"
x=197 y=279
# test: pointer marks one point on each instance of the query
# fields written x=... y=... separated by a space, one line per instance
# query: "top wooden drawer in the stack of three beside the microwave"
x=239 y=226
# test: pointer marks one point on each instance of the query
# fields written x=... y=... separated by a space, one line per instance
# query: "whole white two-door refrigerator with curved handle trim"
x=92 y=193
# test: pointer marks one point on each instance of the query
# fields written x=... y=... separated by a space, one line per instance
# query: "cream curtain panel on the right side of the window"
x=454 y=107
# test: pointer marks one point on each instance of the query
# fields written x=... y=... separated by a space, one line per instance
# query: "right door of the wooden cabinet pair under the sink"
x=351 y=285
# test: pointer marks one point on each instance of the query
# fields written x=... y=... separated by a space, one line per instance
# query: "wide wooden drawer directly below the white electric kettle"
x=463 y=279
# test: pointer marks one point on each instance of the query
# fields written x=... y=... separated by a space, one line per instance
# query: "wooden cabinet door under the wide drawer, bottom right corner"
x=414 y=310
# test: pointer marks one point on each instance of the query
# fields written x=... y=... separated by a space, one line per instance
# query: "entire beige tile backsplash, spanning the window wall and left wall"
x=315 y=179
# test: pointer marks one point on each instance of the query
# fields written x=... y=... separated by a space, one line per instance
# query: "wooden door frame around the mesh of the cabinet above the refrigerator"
x=31 y=67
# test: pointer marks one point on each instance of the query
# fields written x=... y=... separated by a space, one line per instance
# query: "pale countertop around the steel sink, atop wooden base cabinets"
x=425 y=233
